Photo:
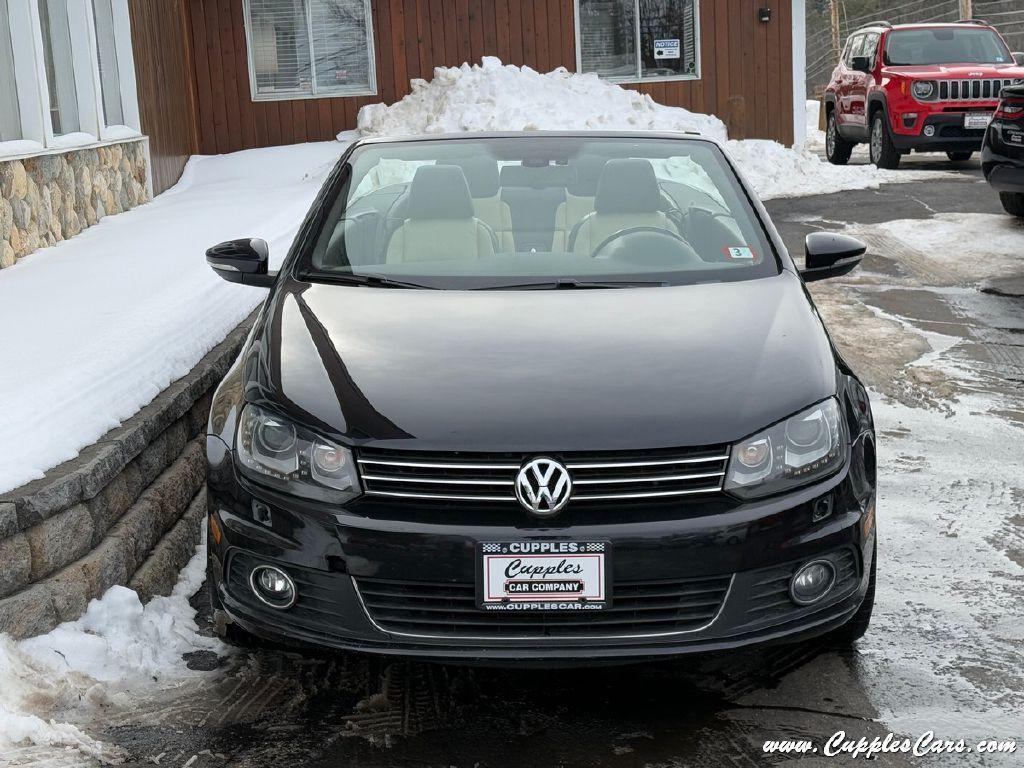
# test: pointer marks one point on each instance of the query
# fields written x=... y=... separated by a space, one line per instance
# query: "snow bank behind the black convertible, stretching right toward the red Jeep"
x=492 y=97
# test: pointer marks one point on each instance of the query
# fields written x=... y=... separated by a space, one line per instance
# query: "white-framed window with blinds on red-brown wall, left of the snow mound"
x=310 y=49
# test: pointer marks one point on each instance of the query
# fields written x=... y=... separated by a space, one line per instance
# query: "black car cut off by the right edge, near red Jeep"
x=1003 y=152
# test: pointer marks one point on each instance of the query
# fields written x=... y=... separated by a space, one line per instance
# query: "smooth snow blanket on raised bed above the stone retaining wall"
x=101 y=324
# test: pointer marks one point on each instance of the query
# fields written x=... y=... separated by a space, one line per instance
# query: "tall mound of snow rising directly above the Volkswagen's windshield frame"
x=496 y=98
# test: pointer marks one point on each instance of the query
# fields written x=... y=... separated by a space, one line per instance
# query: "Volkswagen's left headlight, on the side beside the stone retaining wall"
x=277 y=453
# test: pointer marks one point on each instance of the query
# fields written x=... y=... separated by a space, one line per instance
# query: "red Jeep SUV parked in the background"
x=922 y=88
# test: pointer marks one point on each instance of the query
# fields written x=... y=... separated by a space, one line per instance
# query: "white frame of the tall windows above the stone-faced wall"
x=31 y=83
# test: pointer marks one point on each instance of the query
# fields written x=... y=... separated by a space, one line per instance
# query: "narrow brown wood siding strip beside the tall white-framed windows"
x=166 y=82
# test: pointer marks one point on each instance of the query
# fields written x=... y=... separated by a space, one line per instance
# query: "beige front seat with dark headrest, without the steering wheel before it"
x=440 y=224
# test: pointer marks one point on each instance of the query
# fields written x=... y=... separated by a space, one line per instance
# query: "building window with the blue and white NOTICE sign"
x=639 y=40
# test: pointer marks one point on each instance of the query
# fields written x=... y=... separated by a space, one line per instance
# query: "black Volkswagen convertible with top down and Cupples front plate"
x=559 y=398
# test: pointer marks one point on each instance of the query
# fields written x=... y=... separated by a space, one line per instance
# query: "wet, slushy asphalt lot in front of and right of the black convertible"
x=946 y=652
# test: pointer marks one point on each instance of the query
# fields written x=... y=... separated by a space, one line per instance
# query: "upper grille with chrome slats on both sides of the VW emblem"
x=596 y=477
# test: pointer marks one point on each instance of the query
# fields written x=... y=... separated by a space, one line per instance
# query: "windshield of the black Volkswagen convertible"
x=538 y=211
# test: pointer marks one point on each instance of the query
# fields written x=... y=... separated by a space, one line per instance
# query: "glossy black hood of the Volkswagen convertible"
x=529 y=371
